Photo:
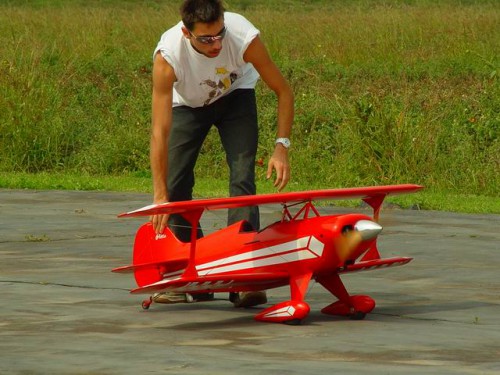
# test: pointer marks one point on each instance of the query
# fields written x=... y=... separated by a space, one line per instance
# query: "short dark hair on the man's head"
x=204 y=11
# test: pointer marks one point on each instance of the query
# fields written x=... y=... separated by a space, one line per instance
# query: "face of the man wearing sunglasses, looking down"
x=206 y=38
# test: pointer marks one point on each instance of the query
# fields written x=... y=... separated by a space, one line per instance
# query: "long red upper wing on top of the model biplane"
x=365 y=193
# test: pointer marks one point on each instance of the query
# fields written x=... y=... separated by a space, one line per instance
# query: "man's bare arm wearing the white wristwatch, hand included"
x=257 y=54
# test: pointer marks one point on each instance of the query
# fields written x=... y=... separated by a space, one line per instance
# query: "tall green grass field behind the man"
x=386 y=92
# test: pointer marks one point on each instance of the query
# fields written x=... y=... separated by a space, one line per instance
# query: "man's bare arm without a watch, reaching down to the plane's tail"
x=163 y=81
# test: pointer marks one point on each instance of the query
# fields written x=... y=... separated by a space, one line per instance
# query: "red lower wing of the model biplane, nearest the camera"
x=217 y=283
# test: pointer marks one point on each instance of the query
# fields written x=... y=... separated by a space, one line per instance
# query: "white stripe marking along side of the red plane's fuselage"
x=292 y=251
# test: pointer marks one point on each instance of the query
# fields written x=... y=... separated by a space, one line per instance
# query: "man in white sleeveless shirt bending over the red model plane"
x=205 y=70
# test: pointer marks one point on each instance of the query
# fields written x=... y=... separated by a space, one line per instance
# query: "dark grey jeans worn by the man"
x=235 y=116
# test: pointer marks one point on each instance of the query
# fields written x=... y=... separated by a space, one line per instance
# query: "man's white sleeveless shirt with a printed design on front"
x=202 y=80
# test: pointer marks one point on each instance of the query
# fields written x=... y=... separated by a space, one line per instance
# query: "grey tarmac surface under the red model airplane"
x=64 y=312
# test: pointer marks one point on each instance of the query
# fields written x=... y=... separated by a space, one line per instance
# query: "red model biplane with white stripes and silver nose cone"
x=292 y=251
